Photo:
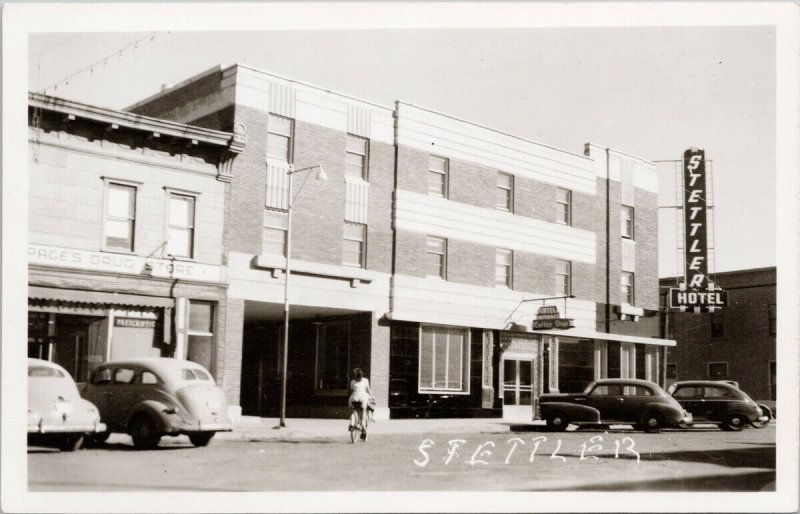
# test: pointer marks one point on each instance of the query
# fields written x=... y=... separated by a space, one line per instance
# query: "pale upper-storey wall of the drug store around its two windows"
x=68 y=191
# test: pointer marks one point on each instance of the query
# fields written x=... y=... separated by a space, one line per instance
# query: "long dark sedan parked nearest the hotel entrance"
x=640 y=403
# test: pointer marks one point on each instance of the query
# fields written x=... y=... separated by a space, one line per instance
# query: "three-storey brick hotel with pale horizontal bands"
x=427 y=257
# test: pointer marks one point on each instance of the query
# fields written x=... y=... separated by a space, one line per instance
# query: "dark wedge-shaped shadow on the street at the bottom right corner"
x=756 y=481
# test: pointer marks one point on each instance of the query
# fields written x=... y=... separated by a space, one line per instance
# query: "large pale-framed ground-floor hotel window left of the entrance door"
x=443 y=359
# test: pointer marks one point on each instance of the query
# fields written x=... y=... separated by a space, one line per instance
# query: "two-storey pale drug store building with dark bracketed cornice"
x=125 y=228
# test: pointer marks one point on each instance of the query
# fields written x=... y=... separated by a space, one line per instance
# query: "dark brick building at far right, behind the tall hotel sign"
x=735 y=343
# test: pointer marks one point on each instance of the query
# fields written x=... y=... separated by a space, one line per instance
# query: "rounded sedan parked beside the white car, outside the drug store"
x=152 y=397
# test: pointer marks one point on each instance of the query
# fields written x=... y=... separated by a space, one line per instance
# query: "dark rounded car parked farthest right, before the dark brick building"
x=720 y=402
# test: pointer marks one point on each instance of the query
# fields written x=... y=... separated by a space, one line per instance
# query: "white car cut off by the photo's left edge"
x=57 y=415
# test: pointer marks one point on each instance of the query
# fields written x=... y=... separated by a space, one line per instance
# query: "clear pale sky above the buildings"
x=649 y=91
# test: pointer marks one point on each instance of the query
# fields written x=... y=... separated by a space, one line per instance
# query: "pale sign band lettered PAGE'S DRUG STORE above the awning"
x=41 y=255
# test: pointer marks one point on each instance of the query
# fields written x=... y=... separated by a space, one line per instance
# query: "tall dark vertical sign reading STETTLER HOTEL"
x=697 y=293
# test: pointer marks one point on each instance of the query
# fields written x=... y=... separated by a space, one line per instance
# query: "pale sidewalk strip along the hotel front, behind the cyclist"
x=258 y=429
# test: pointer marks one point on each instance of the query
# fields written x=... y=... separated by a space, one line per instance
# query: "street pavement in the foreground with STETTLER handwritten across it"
x=420 y=455
